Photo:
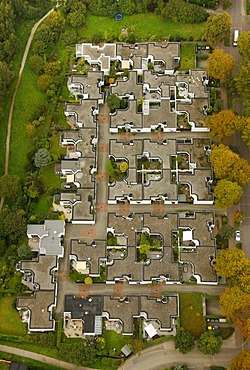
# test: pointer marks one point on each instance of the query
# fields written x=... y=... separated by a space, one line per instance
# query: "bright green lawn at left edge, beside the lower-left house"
x=10 y=322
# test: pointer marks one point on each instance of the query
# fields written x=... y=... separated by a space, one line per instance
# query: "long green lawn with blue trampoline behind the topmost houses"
x=144 y=25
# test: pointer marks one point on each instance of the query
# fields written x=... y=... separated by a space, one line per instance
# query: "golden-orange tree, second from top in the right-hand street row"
x=220 y=64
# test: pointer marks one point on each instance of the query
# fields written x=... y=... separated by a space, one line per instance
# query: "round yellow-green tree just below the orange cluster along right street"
x=227 y=193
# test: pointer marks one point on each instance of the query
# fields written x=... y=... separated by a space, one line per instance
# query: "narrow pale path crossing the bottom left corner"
x=41 y=358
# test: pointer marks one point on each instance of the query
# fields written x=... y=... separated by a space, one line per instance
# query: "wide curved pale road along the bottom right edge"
x=164 y=355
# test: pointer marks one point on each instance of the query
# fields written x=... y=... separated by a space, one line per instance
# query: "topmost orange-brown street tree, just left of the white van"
x=217 y=28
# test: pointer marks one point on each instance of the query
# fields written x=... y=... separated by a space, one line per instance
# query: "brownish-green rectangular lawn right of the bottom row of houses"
x=191 y=313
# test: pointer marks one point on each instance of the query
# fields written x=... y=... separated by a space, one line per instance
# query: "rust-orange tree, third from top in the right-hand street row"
x=224 y=124
